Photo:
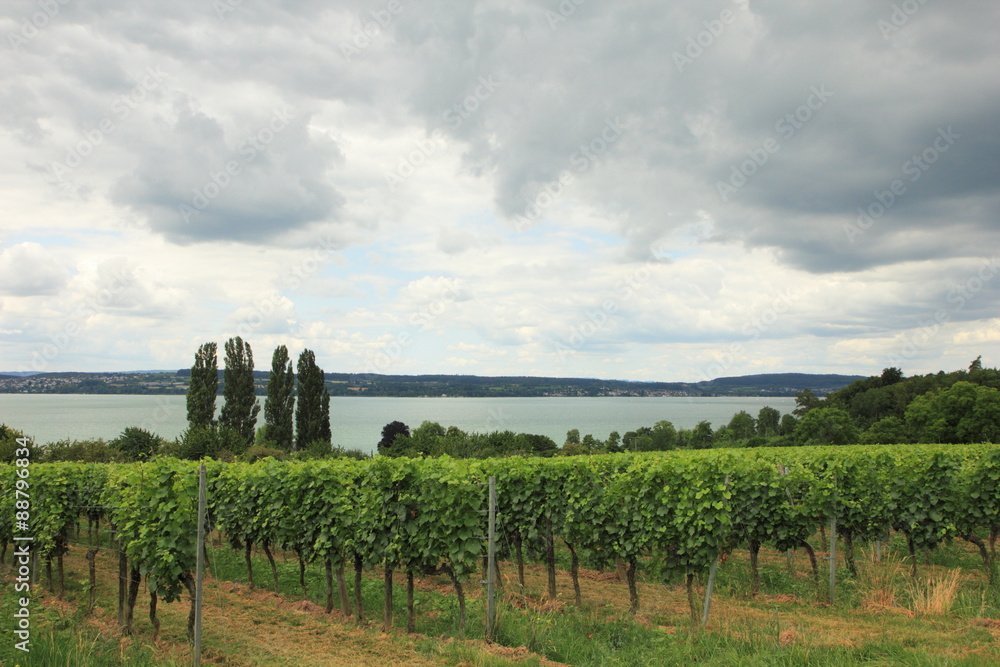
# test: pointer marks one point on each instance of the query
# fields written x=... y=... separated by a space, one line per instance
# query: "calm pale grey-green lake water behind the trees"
x=358 y=422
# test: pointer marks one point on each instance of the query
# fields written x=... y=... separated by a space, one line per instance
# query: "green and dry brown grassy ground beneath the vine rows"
x=881 y=617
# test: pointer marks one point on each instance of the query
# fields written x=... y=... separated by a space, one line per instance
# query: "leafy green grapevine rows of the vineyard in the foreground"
x=672 y=513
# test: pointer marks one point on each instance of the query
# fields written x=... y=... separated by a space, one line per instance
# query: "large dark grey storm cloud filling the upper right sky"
x=885 y=97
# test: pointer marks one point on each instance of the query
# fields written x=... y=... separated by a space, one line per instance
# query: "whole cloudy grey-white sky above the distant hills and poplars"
x=641 y=190
